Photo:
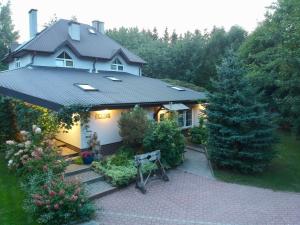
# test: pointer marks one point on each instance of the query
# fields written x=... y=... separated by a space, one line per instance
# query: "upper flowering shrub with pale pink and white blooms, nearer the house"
x=34 y=154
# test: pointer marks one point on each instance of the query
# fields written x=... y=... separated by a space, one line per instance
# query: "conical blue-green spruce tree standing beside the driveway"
x=240 y=129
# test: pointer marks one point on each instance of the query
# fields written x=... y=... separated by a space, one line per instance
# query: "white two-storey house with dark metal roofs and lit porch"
x=71 y=63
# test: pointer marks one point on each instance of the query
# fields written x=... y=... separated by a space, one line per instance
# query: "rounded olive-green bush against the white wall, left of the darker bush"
x=133 y=126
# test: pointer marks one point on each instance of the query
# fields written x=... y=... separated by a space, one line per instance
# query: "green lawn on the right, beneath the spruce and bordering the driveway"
x=283 y=174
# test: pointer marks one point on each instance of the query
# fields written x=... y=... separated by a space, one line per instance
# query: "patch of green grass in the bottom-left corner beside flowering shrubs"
x=11 y=199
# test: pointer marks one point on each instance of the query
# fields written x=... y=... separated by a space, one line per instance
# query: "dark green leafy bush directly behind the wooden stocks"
x=166 y=137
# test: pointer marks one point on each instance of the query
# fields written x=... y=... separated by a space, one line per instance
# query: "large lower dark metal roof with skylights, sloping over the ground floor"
x=54 y=88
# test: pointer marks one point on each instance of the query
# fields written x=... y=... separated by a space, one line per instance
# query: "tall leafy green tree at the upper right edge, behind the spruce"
x=271 y=55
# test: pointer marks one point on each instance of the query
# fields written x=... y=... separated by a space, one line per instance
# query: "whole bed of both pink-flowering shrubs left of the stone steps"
x=50 y=198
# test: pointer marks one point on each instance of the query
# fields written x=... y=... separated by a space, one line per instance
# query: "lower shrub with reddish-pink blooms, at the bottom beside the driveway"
x=56 y=201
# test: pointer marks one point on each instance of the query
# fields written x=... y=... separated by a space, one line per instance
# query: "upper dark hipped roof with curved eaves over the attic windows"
x=90 y=45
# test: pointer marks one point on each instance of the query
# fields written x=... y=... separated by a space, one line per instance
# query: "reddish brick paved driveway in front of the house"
x=191 y=199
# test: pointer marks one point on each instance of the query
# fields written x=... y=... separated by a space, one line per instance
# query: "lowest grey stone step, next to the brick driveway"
x=99 y=189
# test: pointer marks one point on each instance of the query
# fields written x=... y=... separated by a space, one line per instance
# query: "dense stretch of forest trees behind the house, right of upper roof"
x=191 y=57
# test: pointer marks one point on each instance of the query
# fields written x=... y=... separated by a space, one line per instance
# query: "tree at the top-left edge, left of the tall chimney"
x=7 y=33
